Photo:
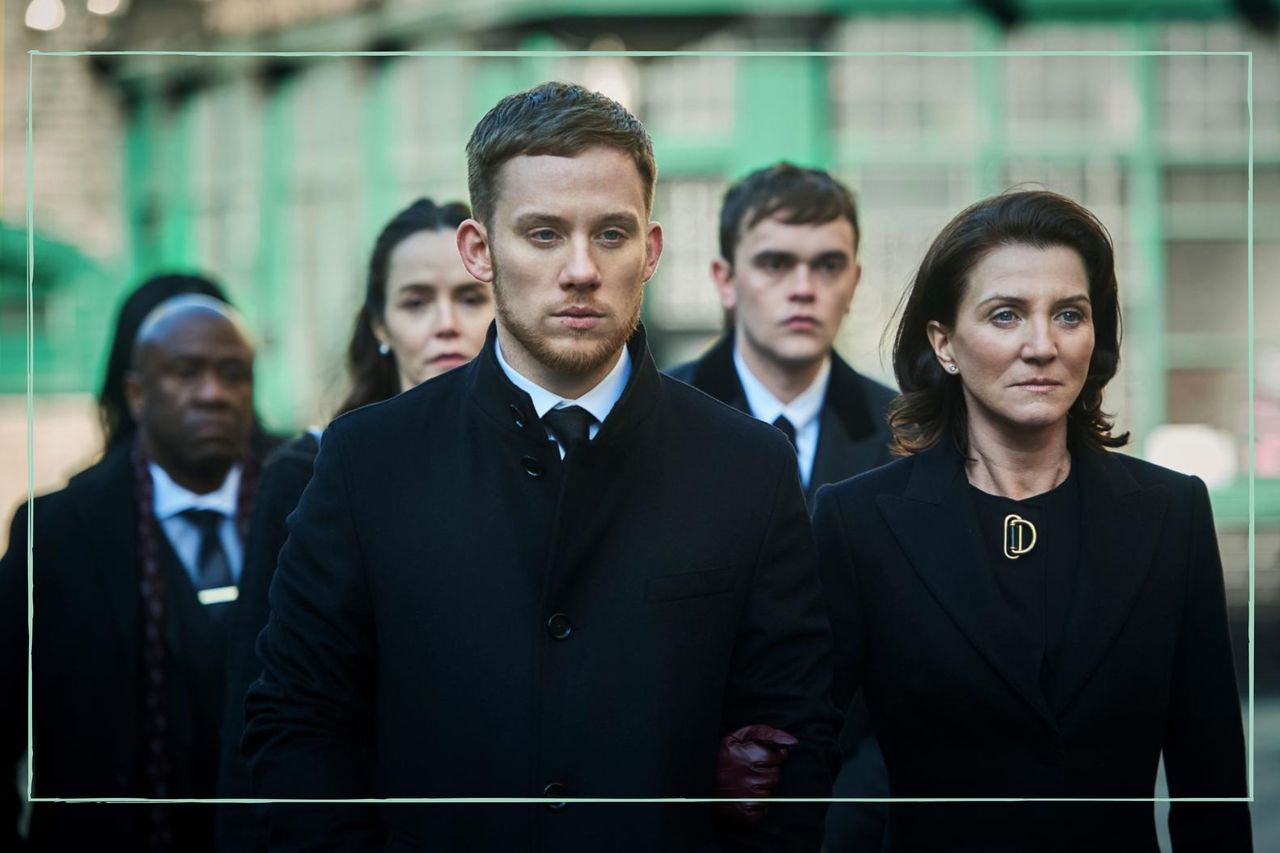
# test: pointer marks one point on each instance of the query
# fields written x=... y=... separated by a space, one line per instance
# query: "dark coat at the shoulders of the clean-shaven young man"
x=853 y=435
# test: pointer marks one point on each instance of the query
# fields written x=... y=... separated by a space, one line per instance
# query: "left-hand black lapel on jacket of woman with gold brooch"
x=935 y=523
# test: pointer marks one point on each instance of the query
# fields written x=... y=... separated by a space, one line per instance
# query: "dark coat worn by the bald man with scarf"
x=88 y=663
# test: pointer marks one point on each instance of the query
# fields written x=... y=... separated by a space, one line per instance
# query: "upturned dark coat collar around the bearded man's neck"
x=514 y=410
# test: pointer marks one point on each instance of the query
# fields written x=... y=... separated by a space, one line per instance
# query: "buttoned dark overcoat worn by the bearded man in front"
x=477 y=618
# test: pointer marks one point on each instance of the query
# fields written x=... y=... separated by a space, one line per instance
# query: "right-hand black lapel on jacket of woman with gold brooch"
x=1121 y=527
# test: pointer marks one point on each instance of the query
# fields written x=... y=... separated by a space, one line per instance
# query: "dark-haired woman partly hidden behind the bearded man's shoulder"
x=423 y=314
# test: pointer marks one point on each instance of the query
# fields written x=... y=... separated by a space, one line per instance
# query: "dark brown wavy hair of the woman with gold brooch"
x=931 y=404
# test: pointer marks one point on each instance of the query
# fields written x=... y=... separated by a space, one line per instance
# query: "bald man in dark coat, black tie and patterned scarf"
x=136 y=567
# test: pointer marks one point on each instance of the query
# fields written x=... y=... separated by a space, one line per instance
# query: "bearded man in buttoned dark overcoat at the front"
x=552 y=573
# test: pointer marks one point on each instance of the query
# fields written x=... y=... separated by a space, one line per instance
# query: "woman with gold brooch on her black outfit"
x=1031 y=615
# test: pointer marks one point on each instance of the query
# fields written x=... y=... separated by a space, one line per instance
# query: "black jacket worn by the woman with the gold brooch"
x=1146 y=668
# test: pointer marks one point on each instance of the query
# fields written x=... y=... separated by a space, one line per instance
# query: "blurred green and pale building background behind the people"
x=278 y=171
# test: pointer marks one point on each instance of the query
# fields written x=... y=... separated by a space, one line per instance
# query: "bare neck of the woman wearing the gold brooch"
x=1018 y=467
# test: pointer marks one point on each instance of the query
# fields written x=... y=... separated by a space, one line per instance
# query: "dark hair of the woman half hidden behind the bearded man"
x=373 y=376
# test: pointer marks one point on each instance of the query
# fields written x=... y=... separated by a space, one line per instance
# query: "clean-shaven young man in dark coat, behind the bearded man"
x=787 y=277
